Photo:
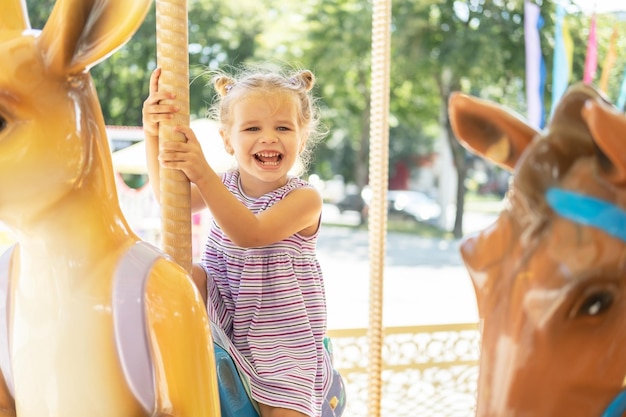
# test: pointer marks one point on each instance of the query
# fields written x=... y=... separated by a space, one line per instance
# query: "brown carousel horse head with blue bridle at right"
x=550 y=273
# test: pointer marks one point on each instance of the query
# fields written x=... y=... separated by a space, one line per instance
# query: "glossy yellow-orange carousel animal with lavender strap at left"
x=93 y=322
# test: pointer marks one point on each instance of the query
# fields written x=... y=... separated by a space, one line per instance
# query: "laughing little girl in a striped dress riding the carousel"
x=259 y=274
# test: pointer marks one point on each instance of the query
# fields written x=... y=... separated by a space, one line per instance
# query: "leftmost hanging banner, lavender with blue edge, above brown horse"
x=535 y=66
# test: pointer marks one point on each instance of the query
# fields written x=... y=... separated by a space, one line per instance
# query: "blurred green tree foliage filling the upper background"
x=438 y=46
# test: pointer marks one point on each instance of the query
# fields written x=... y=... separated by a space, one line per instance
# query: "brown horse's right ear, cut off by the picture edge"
x=608 y=128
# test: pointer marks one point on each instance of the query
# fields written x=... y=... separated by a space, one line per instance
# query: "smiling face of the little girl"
x=266 y=139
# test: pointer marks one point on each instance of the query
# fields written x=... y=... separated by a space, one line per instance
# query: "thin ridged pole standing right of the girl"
x=378 y=174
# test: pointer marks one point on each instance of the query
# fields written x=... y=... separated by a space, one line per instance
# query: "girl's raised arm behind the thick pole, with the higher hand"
x=155 y=110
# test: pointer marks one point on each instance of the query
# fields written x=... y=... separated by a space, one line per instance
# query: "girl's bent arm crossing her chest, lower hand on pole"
x=298 y=212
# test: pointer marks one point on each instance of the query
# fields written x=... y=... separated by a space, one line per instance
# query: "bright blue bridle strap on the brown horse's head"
x=590 y=211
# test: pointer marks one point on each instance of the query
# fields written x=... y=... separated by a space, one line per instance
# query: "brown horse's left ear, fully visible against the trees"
x=489 y=130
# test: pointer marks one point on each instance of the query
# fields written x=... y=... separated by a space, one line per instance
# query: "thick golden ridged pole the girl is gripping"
x=173 y=59
